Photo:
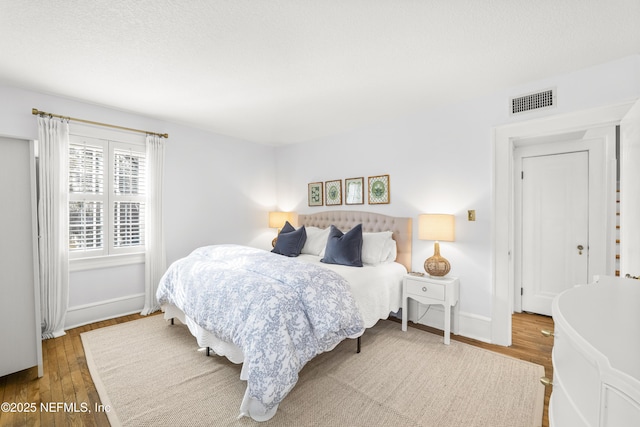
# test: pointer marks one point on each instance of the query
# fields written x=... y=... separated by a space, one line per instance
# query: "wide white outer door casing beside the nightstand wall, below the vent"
x=503 y=242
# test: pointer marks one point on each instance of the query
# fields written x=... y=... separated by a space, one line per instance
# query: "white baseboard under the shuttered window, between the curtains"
x=80 y=315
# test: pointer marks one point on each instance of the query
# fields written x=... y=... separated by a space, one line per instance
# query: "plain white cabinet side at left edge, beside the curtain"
x=20 y=336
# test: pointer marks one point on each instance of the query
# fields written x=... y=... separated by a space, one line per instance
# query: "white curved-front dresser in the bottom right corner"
x=596 y=356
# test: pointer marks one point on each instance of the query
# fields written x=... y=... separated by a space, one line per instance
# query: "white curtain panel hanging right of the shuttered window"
x=155 y=257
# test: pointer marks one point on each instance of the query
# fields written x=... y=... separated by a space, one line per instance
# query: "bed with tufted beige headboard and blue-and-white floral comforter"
x=274 y=323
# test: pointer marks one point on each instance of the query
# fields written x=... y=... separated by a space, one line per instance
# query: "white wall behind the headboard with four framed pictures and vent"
x=440 y=161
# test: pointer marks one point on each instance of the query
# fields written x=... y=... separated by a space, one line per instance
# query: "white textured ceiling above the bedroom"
x=283 y=71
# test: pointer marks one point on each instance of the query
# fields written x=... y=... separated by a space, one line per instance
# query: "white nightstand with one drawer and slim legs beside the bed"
x=432 y=290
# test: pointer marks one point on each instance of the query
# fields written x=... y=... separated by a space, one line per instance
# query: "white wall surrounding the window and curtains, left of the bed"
x=217 y=190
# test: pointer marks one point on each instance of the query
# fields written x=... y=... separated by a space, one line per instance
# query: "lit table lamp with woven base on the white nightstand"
x=438 y=227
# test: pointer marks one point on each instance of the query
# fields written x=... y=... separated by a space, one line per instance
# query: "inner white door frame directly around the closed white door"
x=593 y=142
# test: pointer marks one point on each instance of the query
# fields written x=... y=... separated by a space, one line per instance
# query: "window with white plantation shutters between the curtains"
x=106 y=197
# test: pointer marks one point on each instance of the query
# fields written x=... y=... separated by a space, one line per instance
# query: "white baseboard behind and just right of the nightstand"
x=469 y=325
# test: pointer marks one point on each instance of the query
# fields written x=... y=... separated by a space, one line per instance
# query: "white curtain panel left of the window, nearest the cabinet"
x=53 y=223
